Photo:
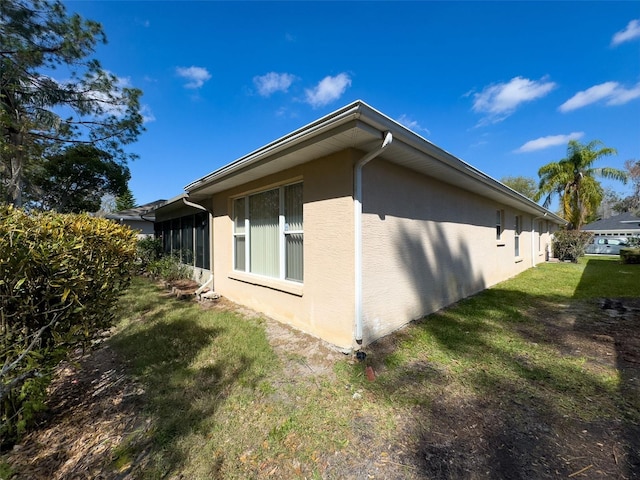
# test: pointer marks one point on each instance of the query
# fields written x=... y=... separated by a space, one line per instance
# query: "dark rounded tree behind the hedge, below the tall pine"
x=76 y=180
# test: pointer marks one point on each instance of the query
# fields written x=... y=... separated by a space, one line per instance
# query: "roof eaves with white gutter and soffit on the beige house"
x=360 y=126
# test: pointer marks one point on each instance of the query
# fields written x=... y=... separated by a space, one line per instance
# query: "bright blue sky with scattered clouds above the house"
x=501 y=85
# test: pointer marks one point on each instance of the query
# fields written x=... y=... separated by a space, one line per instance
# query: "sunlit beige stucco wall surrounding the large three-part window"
x=323 y=305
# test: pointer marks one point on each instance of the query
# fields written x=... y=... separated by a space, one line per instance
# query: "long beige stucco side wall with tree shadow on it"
x=427 y=244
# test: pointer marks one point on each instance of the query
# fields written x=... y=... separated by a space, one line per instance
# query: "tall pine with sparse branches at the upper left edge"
x=39 y=113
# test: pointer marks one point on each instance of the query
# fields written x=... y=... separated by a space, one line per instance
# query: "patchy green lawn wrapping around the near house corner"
x=220 y=405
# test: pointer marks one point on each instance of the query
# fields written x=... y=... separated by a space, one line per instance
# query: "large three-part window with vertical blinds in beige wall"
x=268 y=233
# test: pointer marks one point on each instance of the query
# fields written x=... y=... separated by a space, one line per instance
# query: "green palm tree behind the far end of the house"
x=574 y=179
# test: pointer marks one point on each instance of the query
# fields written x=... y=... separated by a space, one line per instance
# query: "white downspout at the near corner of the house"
x=357 y=205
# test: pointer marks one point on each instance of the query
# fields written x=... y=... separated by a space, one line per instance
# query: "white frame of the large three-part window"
x=283 y=233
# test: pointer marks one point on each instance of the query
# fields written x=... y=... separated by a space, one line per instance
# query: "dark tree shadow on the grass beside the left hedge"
x=183 y=391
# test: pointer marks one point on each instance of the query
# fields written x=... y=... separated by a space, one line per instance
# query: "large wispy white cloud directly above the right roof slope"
x=500 y=100
